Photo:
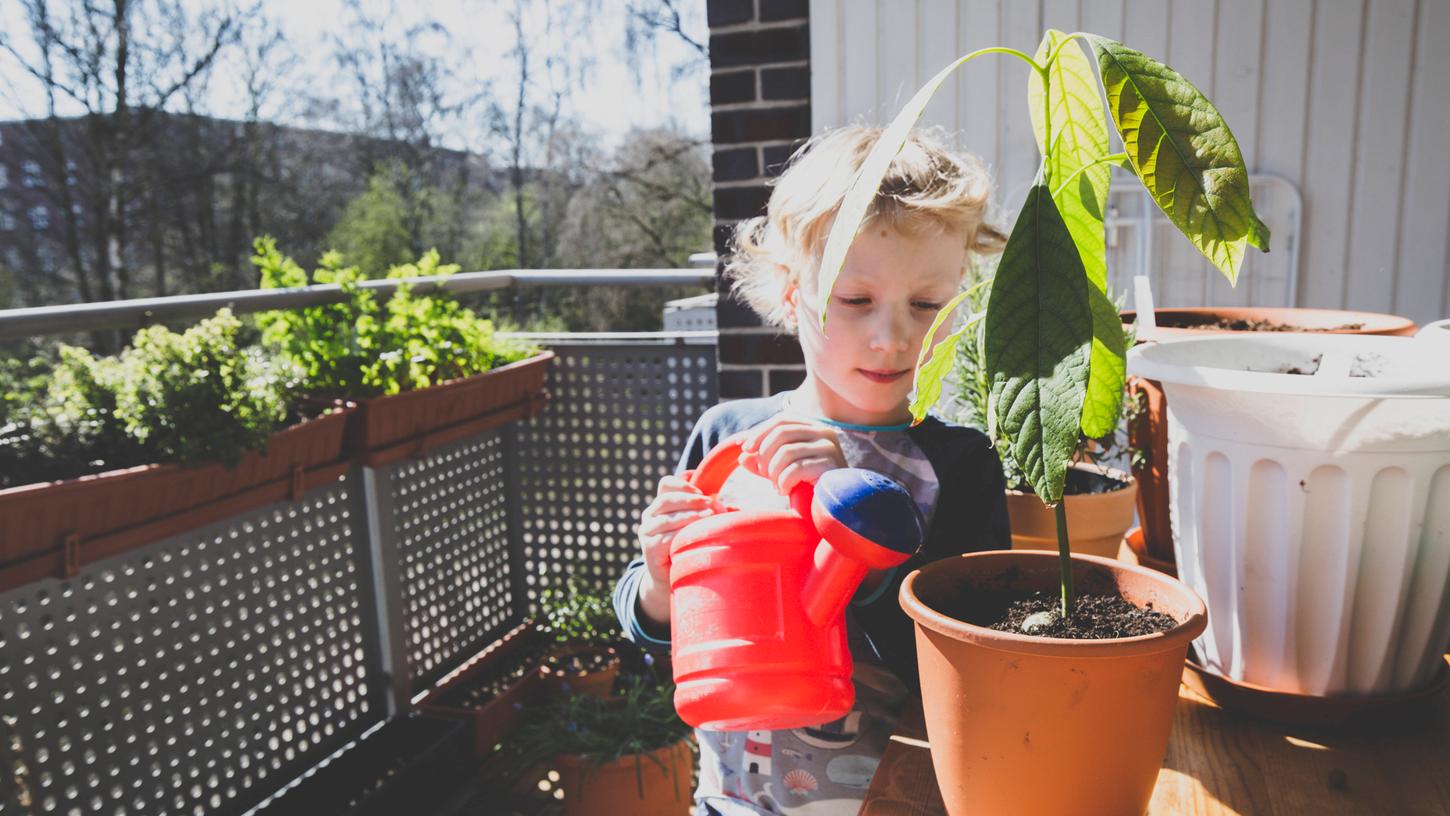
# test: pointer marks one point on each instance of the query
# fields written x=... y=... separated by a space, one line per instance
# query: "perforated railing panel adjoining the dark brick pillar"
x=617 y=421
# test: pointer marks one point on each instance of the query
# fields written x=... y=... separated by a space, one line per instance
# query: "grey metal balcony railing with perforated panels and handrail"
x=202 y=673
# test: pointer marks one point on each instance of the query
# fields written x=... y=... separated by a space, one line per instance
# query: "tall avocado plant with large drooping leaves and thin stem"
x=1055 y=353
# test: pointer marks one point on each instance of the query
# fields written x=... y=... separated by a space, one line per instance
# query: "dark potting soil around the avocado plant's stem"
x=1095 y=617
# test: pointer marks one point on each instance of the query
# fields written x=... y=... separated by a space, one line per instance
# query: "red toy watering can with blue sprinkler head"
x=758 y=598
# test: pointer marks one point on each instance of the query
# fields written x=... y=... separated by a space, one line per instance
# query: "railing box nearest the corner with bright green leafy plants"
x=424 y=370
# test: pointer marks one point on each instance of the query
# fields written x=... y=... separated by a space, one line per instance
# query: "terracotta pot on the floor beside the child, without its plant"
x=652 y=785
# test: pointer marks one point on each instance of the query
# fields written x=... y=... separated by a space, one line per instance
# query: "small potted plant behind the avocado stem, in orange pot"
x=1098 y=499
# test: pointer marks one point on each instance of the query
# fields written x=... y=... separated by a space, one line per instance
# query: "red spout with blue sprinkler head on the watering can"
x=866 y=523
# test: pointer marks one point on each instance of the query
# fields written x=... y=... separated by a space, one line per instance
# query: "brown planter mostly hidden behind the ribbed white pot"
x=1151 y=433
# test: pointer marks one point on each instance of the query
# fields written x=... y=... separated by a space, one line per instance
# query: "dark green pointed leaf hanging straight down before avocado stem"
x=1039 y=337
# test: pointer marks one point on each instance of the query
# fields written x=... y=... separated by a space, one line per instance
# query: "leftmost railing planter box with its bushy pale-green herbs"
x=99 y=456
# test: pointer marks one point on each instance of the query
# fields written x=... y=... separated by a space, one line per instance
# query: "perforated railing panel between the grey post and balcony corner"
x=455 y=550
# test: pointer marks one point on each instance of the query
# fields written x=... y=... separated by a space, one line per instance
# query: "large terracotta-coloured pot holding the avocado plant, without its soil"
x=1030 y=725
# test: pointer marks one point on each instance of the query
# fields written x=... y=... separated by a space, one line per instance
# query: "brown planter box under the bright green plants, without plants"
x=398 y=427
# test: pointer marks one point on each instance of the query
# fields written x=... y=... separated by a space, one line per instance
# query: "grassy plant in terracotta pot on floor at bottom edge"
x=629 y=756
